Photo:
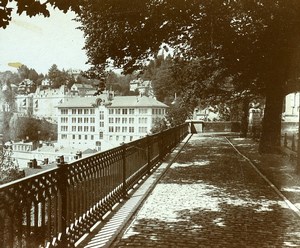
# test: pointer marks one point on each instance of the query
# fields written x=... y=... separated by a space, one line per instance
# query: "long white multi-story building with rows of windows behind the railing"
x=103 y=122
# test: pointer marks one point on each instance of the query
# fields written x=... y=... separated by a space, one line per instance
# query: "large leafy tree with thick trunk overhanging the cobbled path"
x=256 y=43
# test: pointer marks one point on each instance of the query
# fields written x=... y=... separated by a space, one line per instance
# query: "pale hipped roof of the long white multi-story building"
x=118 y=101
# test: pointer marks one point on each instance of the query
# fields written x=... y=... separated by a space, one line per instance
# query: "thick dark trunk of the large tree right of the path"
x=271 y=126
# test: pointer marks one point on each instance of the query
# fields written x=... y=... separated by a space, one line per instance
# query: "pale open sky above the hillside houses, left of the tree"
x=39 y=42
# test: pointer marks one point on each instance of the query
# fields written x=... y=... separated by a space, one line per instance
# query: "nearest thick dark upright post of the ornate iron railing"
x=62 y=184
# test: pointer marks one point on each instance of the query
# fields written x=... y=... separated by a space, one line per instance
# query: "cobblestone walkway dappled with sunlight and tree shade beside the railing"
x=212 y=197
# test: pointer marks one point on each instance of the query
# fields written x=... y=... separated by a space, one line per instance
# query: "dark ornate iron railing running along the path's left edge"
x=55 y=208
